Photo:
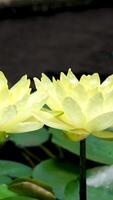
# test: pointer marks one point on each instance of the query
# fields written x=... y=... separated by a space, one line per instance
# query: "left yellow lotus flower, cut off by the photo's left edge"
x=17 y=105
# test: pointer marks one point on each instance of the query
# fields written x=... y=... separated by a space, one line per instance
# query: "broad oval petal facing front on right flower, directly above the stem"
x=73 y=112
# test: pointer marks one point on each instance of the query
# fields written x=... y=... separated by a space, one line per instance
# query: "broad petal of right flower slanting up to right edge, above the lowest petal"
x=101 y=122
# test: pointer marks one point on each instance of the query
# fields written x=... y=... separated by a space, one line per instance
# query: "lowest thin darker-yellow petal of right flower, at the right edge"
x=103 y=134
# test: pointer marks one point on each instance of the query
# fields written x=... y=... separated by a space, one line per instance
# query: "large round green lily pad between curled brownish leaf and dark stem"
x=55 y=174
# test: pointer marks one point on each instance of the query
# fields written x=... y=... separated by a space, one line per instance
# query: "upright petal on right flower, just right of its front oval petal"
x=95 y=106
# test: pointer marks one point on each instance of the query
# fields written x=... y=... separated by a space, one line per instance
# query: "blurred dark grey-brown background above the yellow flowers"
x=53 y=35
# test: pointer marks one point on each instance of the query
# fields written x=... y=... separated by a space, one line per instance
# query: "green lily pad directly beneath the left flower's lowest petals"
x=30 y=139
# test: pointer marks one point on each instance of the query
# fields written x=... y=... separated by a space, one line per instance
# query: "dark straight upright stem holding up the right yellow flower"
x=83 y=192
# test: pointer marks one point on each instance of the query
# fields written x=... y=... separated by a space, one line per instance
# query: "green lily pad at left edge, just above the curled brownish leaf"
x=14 y=169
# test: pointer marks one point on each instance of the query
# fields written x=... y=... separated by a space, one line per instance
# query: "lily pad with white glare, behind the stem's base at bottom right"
x=99 y=184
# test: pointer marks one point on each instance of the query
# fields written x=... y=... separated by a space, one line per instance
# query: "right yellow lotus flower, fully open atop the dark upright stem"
x=78 y=107
